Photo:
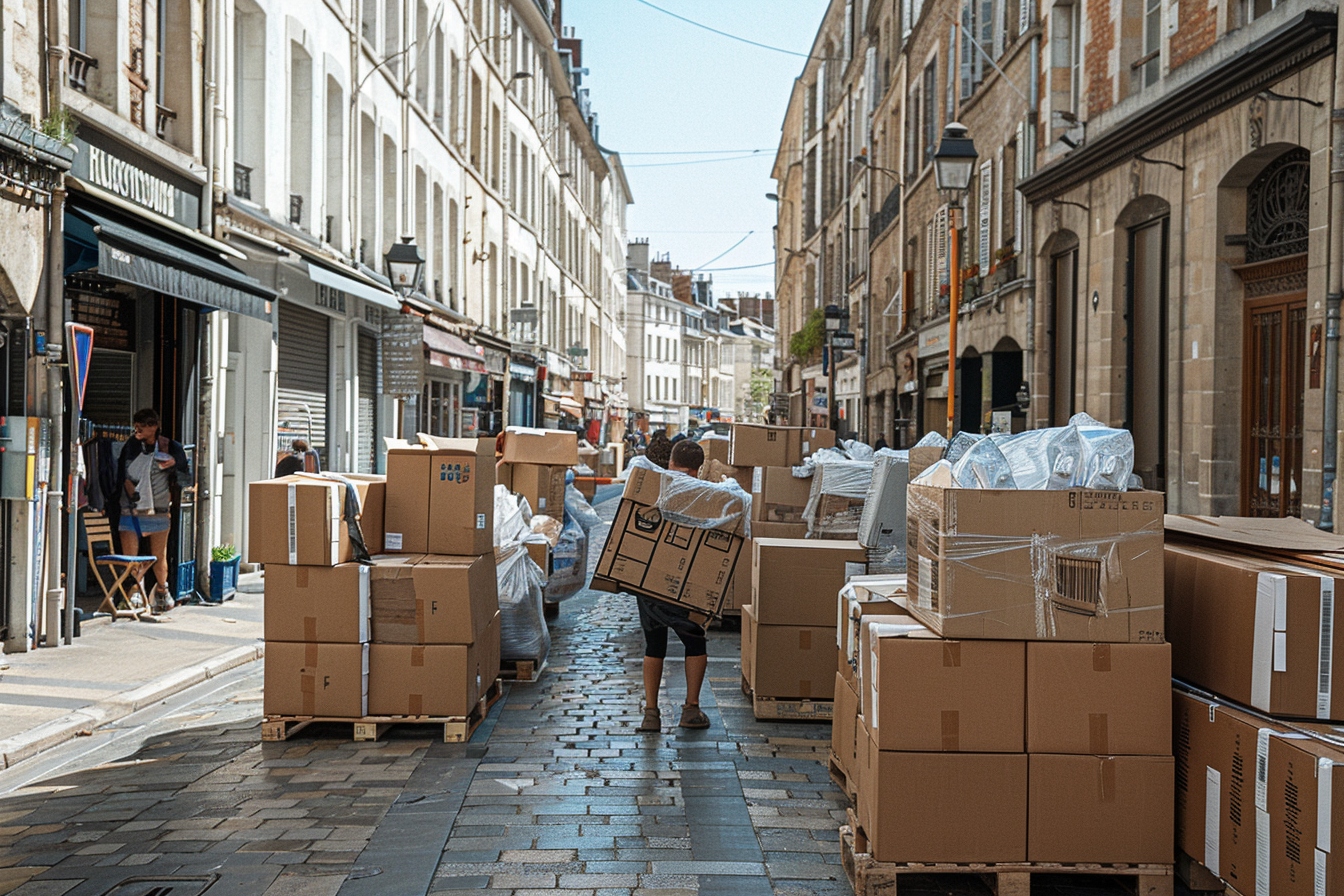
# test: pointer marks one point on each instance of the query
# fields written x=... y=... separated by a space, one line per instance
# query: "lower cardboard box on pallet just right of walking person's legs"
x=794 y=663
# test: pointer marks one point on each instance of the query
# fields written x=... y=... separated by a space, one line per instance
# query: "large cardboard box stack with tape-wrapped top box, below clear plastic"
x=1022 y=715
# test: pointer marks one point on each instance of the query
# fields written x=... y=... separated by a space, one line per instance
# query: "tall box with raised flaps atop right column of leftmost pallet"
x=442 y=498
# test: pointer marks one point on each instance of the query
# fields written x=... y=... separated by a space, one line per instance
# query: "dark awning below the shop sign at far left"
x=136 y=256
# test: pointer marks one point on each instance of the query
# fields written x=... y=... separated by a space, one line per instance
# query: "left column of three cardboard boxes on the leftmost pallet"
x=318 y=598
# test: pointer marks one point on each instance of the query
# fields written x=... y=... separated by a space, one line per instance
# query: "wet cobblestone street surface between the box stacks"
x=556 y=792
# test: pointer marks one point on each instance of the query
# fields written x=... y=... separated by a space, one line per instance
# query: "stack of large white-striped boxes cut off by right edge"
x=1252 y=623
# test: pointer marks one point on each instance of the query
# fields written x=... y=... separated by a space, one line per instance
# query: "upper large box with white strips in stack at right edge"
x=1255 y=632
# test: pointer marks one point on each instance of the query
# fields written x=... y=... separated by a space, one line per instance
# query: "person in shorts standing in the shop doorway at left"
x=151 y=472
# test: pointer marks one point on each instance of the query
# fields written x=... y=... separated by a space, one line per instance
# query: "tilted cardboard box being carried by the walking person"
x=653 y=557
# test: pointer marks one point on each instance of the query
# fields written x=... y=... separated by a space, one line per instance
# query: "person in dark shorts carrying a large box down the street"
x=657 y=619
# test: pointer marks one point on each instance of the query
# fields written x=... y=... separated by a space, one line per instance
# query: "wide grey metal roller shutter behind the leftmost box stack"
x=304 y=378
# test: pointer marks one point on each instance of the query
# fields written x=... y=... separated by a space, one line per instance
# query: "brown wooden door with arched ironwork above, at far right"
x=1275 y=334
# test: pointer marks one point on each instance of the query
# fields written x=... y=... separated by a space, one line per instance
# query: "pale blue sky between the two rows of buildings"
x=665 y=87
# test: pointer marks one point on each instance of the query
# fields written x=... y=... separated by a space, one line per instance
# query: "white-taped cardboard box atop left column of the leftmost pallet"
x=298 y=521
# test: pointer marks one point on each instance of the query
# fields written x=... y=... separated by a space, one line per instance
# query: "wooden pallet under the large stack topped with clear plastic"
x=872 y=878
